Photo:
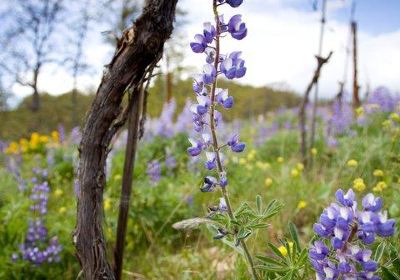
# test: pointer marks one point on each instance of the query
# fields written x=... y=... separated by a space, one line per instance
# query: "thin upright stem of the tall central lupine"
x=216 y=147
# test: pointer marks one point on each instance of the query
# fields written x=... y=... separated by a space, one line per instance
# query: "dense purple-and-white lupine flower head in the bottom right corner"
x=343 y=224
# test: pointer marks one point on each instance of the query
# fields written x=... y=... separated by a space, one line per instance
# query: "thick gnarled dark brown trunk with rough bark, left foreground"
x=140 y=46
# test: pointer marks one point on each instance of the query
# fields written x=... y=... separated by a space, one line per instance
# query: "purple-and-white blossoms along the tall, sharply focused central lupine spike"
x=205 y=116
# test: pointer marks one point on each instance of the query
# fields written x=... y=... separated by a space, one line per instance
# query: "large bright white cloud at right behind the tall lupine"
x=282 y=42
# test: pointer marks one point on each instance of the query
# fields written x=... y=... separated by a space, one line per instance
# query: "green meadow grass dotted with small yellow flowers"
x=154 y=249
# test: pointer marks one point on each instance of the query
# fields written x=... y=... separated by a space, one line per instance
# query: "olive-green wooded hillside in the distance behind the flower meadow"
x=249 y=102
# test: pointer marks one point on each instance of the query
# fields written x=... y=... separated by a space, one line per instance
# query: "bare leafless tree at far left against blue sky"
x=28 y=41
